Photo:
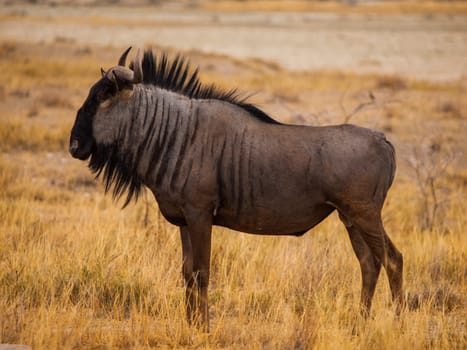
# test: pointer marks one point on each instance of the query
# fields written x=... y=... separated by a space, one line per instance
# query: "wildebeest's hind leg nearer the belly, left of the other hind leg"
x=369 y=265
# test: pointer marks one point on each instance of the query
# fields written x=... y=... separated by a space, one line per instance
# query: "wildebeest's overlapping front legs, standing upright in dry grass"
x=196 y=246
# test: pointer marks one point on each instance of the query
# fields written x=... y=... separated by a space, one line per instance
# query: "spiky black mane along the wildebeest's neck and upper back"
x=175 y=76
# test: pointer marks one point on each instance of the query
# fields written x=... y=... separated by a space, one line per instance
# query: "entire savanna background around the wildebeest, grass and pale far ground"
x=76 y=271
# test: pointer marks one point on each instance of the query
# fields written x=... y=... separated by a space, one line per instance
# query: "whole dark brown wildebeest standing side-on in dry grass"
x=211 y=158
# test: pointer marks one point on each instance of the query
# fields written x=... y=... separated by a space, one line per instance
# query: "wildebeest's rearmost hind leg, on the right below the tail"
x=372 y=231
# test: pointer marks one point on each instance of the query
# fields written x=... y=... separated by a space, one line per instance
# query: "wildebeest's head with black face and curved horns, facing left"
x=94 y=121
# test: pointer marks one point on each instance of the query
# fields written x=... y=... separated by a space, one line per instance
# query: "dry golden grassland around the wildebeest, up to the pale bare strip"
x=76 y=271
